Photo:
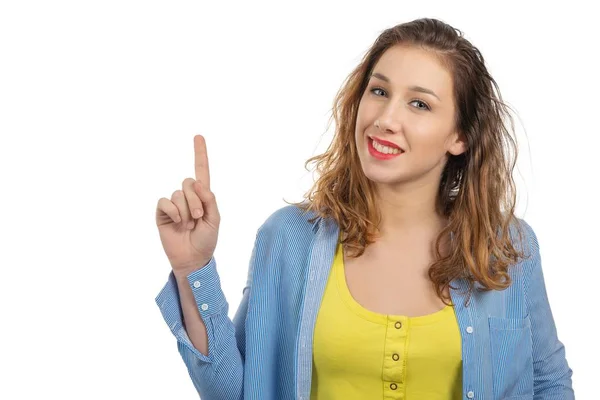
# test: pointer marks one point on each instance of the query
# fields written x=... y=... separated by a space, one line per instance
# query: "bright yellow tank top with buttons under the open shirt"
x=360 y=354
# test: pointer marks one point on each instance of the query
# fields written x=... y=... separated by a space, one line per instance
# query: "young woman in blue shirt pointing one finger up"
x=404 y=273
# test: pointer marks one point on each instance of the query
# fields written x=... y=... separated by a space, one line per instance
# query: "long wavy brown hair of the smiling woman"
x=477 y=193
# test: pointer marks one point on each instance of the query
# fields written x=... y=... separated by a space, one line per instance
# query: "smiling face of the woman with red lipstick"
x=410 y=95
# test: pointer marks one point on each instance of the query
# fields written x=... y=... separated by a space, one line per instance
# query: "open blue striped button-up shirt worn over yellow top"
x=510 y=347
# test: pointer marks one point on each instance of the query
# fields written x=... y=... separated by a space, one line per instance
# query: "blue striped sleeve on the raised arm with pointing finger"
x=220 y=374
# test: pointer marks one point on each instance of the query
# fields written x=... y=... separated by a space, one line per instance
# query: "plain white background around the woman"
x=99 y=103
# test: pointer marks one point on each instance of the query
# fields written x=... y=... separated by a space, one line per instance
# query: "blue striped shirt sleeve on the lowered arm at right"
x=552 y=374
